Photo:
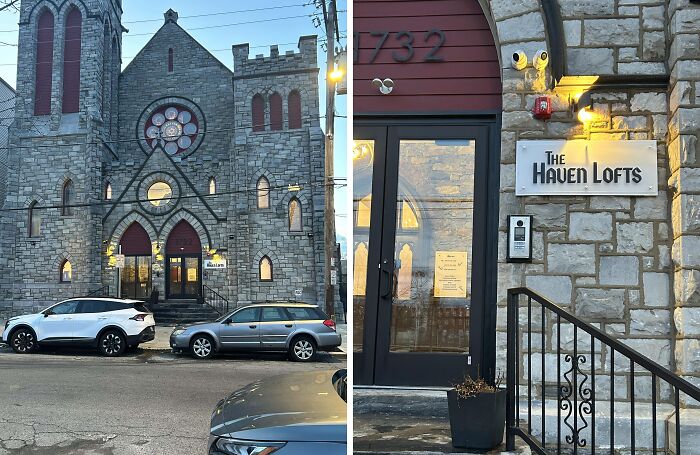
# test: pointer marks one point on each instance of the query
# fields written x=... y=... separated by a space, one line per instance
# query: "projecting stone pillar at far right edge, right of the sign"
x=684 y=165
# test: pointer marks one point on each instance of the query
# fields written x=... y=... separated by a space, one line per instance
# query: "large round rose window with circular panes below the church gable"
x=176 y=126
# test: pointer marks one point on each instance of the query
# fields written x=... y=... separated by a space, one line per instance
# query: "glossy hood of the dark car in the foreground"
x=293 y=407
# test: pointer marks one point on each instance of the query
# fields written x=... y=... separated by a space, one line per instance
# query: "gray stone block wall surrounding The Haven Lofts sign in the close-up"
x=630 y=265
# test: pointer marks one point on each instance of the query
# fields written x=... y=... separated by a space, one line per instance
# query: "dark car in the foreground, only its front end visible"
x=296 y=414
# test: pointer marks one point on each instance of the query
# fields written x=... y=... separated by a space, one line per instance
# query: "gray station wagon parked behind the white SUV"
x=301 y=329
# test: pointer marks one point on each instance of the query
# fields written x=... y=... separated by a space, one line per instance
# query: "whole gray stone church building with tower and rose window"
x=173 y=175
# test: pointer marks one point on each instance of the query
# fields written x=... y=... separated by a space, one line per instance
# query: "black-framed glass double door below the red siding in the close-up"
x=419 y=252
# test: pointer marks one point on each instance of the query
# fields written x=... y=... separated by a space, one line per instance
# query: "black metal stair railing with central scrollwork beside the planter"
x=586 y=384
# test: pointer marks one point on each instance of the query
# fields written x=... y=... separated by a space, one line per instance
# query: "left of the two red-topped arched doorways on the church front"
x=135 y=278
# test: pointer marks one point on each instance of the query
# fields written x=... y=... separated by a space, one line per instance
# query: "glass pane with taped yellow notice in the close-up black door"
x=430 y=309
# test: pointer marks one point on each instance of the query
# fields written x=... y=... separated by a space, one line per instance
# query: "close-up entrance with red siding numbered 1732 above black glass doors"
x=425 y=172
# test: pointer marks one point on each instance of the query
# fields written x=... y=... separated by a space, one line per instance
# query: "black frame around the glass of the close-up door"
x=482 y=350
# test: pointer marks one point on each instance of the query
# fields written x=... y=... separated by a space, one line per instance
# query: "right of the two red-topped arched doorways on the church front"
x=184 y=263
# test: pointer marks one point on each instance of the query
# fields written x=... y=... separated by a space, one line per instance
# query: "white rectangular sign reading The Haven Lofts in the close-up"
x=580 y=167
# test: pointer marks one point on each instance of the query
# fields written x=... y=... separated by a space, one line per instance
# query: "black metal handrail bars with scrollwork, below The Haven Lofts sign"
x=583 y=395
